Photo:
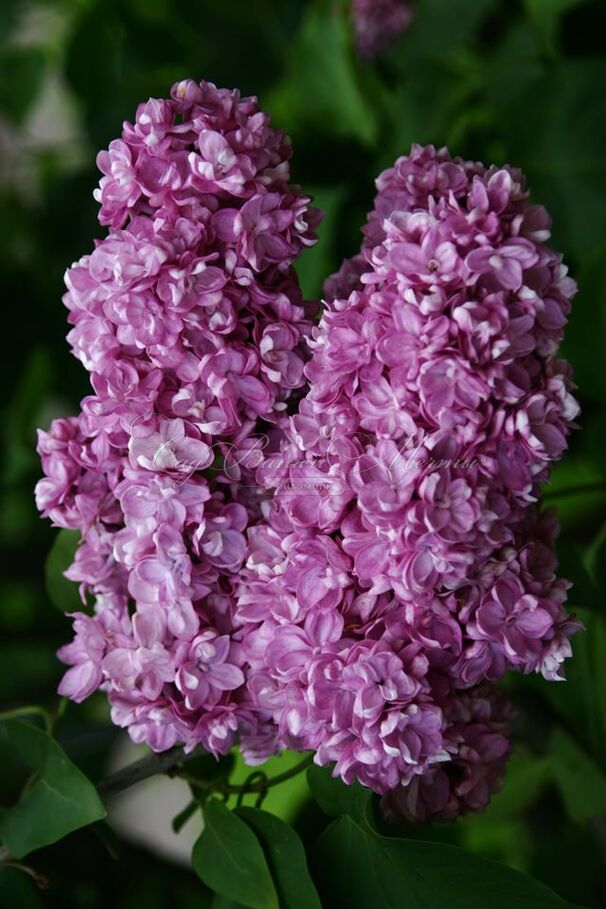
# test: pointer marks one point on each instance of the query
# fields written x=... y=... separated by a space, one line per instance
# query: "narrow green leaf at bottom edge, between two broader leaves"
x=286 y=859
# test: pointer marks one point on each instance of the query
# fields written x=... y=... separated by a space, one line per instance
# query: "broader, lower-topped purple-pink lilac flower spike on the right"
x=405 y=565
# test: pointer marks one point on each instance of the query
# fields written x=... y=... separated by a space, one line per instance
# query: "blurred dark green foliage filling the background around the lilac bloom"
x=505 y=81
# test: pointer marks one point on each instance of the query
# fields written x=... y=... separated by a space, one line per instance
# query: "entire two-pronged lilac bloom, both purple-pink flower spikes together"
x=392 y=563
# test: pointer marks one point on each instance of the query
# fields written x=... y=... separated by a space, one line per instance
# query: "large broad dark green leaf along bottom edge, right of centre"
x=357 y=869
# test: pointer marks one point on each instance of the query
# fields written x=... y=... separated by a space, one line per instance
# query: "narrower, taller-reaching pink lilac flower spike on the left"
x=189 y=318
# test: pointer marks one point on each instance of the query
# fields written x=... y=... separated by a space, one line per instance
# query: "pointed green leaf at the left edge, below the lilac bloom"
x=61 y=798
